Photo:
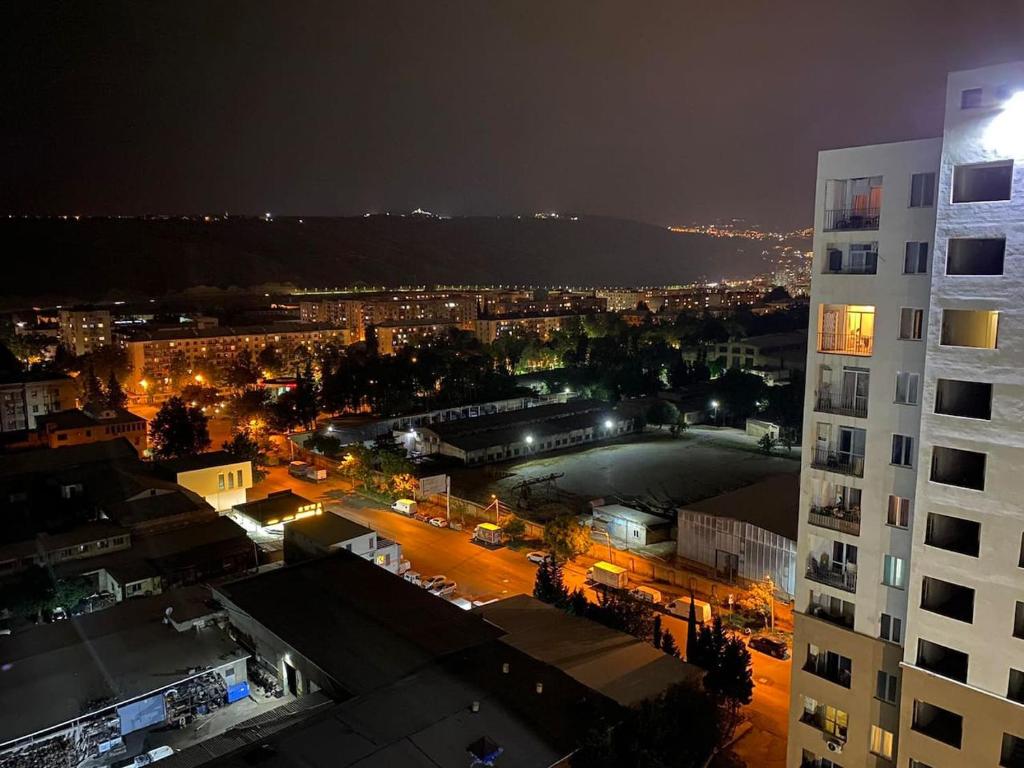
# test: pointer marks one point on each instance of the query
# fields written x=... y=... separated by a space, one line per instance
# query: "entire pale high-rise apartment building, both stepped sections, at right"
x=909 y=643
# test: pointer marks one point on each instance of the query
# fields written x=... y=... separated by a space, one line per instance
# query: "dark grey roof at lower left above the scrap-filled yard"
x=59 y=672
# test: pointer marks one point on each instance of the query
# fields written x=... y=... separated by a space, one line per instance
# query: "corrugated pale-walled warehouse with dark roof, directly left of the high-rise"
x=746 y=535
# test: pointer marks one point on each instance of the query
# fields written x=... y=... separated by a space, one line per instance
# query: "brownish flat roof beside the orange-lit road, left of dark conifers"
x=620 y=666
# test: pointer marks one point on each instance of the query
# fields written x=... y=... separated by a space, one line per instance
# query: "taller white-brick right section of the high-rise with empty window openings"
x=962 y=689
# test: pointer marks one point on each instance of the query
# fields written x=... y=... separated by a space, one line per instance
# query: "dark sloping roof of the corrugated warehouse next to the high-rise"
x=773 y=504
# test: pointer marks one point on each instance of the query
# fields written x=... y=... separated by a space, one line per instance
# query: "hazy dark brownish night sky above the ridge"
x=663 y=112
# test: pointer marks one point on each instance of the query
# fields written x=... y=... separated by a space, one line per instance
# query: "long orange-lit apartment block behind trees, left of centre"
x=161 y=359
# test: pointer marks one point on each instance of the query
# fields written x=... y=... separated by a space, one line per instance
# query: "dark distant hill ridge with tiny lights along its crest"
x=97 y=259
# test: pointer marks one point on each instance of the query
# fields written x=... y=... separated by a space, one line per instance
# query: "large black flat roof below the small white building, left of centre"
x=333 y=610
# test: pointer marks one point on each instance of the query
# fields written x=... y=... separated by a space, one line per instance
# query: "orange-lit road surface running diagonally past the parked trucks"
x=489 y=574
